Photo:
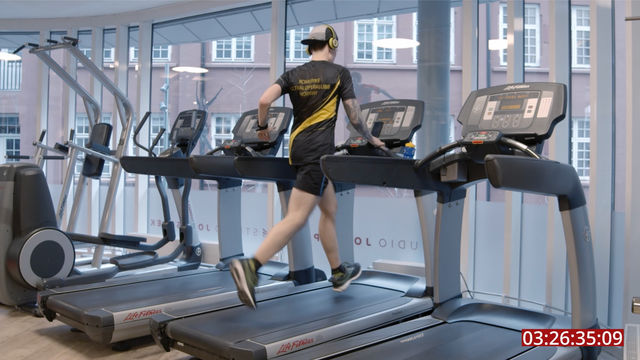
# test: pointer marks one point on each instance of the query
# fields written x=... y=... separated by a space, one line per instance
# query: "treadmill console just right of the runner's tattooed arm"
x=393 y=121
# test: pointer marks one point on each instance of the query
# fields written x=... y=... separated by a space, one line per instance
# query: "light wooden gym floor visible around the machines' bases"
x=23 y=336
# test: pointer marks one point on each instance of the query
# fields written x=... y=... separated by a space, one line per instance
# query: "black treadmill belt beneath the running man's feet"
x=281 y=318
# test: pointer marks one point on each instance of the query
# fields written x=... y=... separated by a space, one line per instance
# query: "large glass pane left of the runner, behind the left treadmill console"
x=233 y=47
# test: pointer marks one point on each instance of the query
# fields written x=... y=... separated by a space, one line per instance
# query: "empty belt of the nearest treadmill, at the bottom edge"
x=459 y=340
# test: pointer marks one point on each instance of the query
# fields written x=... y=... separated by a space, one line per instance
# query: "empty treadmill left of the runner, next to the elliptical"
x=119 y=309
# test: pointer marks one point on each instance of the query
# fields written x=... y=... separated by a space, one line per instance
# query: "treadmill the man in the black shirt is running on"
x=306 y=315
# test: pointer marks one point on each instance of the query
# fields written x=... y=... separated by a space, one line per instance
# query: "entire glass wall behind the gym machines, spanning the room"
x=234 y=46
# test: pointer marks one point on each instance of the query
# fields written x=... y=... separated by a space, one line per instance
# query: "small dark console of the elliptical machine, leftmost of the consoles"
x=187 y=128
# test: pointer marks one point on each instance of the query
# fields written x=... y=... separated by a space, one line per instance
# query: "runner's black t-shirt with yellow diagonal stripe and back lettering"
x=315 y=90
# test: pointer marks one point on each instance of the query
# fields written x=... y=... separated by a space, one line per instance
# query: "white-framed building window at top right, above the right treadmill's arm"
x=580 y=32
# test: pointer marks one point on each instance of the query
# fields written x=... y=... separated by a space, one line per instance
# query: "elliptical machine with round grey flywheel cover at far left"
x=35 y=254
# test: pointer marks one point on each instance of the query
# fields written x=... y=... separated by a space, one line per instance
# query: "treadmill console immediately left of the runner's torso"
x=244 y=132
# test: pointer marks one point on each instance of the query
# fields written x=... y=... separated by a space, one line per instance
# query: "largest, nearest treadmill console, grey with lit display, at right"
x=525 y=112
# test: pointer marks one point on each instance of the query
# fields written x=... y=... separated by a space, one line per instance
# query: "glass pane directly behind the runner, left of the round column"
x=377 y=74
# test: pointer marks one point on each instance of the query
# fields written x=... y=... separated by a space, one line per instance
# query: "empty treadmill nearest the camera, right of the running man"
x=503 y=131
